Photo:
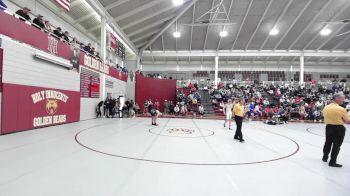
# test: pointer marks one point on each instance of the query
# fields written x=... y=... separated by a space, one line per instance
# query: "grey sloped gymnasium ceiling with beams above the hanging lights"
x=299 y=23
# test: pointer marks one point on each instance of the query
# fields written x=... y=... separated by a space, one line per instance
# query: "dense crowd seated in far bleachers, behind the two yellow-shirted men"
x=280 y=103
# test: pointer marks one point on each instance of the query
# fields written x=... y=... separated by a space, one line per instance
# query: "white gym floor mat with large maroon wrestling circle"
x=180 y=157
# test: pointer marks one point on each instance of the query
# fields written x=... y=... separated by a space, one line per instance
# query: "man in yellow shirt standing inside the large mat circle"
x=238 y=112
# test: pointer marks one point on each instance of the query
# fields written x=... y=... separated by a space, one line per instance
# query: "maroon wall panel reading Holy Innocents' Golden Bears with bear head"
x=28 y=107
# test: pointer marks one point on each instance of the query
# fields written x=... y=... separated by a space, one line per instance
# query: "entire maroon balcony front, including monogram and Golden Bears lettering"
x=21 y=31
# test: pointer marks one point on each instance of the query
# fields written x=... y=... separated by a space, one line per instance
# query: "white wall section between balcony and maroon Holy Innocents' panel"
x=28 y=70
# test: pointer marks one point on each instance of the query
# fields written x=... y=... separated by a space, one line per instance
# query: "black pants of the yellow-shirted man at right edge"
x=334 y=137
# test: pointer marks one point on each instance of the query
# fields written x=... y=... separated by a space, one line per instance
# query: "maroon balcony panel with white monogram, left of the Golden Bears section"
x=19 y=30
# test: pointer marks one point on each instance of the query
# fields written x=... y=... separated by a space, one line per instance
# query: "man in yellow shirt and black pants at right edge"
x=334 y=116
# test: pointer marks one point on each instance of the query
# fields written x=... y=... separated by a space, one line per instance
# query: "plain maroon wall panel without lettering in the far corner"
x=151 y=88
